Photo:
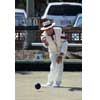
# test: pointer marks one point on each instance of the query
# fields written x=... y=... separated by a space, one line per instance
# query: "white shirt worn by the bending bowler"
x=59 y=44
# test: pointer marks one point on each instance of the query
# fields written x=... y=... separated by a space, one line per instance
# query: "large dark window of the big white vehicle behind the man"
x=69 y=10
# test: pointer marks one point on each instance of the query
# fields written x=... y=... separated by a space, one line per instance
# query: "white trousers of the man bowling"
x=56 y=70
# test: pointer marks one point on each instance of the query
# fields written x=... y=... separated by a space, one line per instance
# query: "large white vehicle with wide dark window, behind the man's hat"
x=62 y=13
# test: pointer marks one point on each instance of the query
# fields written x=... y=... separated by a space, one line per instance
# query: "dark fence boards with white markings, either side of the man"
x=74 y=35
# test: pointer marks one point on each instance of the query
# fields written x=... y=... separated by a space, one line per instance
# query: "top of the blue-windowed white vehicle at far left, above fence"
x=20 y=17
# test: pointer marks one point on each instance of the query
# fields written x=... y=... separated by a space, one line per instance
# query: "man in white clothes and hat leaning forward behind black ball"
x=56 y=42
